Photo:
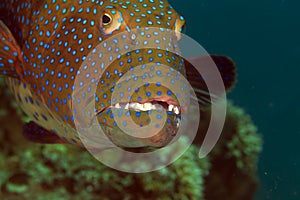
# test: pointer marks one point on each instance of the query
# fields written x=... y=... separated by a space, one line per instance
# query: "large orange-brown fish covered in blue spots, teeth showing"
x=44 y=44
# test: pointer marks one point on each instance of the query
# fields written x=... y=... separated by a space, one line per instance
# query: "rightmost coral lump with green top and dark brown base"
x=234 y=158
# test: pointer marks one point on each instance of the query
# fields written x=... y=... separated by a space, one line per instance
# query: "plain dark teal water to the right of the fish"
x=263 y=39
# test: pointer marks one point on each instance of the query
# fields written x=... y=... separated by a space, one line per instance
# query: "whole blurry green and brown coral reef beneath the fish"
x=35 y=171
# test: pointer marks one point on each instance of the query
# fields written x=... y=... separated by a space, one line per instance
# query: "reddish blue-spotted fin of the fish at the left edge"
x=10 y=54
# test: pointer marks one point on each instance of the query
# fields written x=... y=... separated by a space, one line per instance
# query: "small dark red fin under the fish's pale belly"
x=35 y=133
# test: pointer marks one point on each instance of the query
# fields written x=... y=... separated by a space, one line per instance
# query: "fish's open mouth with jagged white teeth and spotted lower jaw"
x=139 y=113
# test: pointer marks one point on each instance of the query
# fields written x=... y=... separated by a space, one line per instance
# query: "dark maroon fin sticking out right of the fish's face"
x=226 y=68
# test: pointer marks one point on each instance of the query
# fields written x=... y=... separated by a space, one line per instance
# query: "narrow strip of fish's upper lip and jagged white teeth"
x=165 y=102
